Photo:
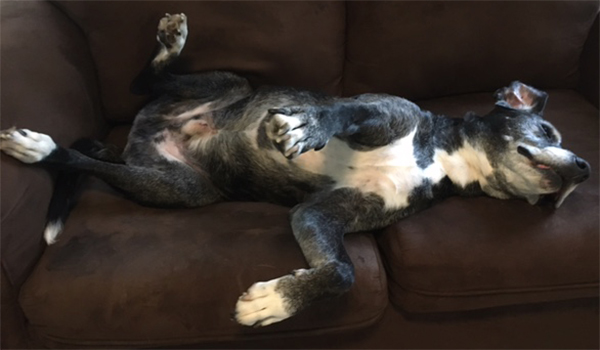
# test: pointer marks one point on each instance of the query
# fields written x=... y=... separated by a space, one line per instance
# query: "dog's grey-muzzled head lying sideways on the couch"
x=528 y=159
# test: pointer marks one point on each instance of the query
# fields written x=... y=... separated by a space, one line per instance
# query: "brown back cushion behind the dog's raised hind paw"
x=292 y=43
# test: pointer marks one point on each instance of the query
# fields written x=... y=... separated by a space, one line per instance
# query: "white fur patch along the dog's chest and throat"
x=392 y=172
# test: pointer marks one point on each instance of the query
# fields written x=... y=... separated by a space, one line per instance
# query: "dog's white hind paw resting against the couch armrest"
x=26 y=145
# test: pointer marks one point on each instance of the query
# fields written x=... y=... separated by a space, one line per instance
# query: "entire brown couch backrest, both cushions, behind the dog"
x=412 y=49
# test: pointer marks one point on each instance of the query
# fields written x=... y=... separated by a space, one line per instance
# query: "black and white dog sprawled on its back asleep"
x=344 y=164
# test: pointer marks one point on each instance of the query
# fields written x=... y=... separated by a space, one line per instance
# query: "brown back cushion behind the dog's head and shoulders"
x=435 y=48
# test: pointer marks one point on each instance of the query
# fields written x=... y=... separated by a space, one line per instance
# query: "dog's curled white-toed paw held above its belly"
x=296 y=130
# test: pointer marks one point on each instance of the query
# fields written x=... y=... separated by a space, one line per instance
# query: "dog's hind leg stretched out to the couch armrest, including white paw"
x=168 y=184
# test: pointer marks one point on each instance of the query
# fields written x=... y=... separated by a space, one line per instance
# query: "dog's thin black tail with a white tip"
x=68 y=185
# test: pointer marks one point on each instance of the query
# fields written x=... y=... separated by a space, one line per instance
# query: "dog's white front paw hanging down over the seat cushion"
x=262 y=305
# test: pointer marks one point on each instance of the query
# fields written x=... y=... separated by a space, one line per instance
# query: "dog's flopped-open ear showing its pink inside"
x=521 y=97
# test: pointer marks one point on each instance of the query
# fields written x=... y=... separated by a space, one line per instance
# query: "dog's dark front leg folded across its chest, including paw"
x=366 y=120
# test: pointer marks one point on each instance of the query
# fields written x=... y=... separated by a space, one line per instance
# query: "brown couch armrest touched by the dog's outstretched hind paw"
x=48 y=85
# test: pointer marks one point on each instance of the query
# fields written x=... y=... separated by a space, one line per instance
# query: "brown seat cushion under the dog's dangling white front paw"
x=126 y=275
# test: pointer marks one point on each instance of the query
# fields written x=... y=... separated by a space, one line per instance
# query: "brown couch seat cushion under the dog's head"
x=471 y=253
